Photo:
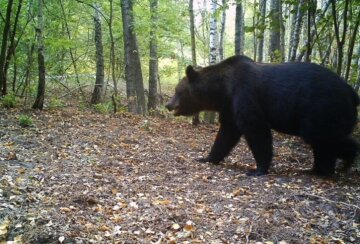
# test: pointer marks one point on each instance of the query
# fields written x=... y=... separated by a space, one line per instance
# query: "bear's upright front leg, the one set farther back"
x=259 y=141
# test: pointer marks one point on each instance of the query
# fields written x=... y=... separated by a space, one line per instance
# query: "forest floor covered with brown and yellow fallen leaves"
x=82 y=177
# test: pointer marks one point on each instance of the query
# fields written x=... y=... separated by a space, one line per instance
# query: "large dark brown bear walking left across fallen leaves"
x=301 y=99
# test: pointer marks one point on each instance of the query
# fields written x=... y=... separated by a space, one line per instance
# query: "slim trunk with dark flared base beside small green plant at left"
x=39 y=101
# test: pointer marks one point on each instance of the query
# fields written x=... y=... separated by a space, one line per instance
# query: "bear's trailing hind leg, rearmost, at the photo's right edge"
x=347 y=150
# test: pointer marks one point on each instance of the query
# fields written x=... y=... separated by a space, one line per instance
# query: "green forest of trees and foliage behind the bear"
x=126 y=55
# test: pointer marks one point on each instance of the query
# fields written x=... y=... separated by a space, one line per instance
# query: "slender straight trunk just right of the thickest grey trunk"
x=153 y=63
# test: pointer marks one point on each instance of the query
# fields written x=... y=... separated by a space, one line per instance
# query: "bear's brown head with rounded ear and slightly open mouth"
x=187 y=99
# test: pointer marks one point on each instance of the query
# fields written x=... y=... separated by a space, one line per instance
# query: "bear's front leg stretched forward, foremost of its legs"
x=227 y=137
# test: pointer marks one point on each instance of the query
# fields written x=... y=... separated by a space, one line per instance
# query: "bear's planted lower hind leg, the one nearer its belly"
x=324 y=159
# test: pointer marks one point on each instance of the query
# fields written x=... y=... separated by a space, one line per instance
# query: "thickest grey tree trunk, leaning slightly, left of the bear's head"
x=133 y=73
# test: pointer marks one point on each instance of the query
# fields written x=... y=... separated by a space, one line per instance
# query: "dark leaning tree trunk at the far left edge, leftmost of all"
x=4 y=47
